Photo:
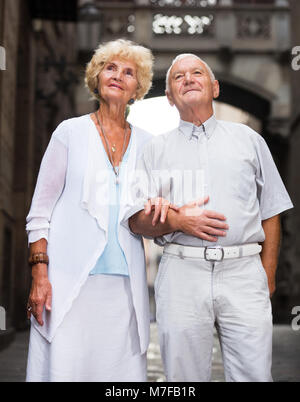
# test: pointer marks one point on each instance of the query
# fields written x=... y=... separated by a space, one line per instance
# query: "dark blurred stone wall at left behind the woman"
x=36 y=93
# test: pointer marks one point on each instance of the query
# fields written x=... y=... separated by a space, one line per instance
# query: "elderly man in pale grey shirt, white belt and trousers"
x=227 y=283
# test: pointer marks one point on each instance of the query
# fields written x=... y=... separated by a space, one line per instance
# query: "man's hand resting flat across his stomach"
x=205 y=224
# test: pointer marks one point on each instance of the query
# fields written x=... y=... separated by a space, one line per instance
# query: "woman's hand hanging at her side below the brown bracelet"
x=40 y=293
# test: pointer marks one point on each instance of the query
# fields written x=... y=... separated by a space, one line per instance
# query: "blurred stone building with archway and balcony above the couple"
x=248 y=44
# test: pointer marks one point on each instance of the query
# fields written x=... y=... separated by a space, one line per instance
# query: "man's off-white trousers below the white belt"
x=192 y=296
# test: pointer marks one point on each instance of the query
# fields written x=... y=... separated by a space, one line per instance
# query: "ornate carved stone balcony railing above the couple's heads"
x=219 y=23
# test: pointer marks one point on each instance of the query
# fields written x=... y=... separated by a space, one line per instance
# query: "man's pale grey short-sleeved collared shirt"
x=228 y=161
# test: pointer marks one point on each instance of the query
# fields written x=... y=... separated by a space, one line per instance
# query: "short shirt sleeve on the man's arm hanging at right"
x=272 y=194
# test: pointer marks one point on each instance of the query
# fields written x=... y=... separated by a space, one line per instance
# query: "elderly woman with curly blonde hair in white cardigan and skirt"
x=89 y=301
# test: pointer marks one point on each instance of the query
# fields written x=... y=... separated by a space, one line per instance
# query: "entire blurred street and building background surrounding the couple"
x=253 y=47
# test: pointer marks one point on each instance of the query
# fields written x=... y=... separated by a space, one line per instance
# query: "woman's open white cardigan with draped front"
x=70 y=209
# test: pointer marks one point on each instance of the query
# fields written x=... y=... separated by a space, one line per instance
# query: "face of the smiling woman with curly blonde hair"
x=118 y=81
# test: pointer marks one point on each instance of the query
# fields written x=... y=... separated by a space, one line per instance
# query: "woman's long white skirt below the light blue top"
x=97 y=341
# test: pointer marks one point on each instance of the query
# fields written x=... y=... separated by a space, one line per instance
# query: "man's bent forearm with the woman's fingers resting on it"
x=140 y=223
